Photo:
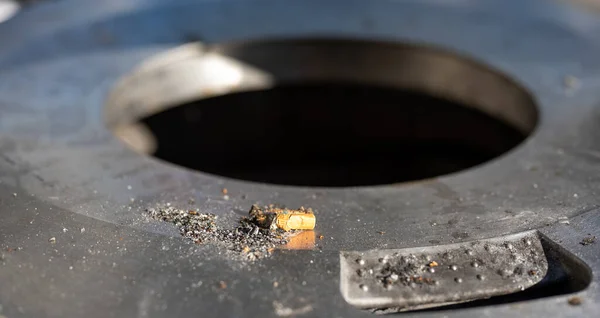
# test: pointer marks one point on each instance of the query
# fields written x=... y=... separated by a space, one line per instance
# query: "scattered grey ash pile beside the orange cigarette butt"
x=247 y=241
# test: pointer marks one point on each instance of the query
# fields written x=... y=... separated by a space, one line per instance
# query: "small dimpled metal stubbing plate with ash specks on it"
x=439 y=275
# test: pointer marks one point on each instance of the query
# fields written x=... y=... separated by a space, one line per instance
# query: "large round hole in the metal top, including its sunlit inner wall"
x=319 y=112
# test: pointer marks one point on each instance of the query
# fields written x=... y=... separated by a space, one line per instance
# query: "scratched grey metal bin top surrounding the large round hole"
x=60 y=168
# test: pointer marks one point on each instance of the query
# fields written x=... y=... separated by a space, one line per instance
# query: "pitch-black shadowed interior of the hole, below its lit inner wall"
x=328 y=135
